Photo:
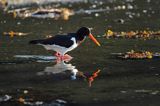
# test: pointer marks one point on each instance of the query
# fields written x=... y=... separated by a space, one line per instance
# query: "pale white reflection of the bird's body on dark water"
x=61 y=67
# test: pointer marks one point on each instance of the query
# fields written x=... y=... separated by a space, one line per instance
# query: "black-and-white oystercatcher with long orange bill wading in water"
x=64 y=43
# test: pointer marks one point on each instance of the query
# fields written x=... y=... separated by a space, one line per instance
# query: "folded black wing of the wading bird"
x=61 y=40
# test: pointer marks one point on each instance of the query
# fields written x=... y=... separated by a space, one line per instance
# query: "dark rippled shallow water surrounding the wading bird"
x=120 y=82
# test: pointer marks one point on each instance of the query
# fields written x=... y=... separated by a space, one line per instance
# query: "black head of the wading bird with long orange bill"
x=83 y=32
